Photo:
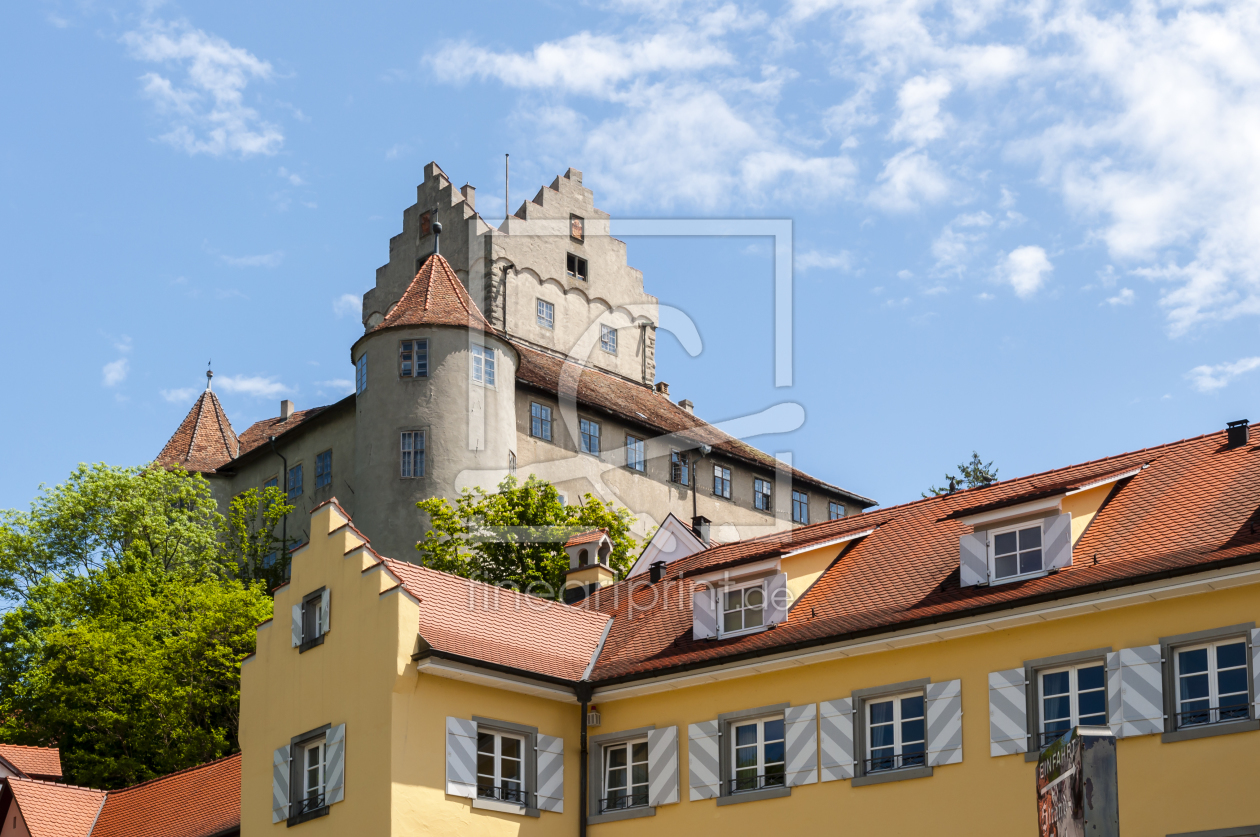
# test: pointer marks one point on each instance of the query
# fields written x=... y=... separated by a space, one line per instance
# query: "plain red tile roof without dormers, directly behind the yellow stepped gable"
x=492 y=625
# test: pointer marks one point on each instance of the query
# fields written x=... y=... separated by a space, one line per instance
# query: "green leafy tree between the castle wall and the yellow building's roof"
x=516 y=536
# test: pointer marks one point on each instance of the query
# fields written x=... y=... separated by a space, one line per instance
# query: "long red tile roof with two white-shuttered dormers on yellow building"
x=1195 y=507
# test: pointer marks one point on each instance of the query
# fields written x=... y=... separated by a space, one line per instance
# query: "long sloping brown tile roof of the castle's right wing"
x=639 y=405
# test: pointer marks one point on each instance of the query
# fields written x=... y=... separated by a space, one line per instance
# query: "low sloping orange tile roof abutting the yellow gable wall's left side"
x=197 y=802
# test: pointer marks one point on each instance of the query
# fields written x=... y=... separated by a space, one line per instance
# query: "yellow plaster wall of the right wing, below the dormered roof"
x=1165 y=788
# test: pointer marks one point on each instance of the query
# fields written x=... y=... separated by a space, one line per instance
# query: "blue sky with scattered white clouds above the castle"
x=1030 y=230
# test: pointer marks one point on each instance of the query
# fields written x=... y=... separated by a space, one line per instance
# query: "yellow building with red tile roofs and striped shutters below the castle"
x=894 y=672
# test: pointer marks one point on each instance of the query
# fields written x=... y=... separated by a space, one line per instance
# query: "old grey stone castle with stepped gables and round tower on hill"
x=491 y=351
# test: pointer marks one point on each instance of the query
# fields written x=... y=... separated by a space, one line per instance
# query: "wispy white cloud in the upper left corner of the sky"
x=206 y=108
